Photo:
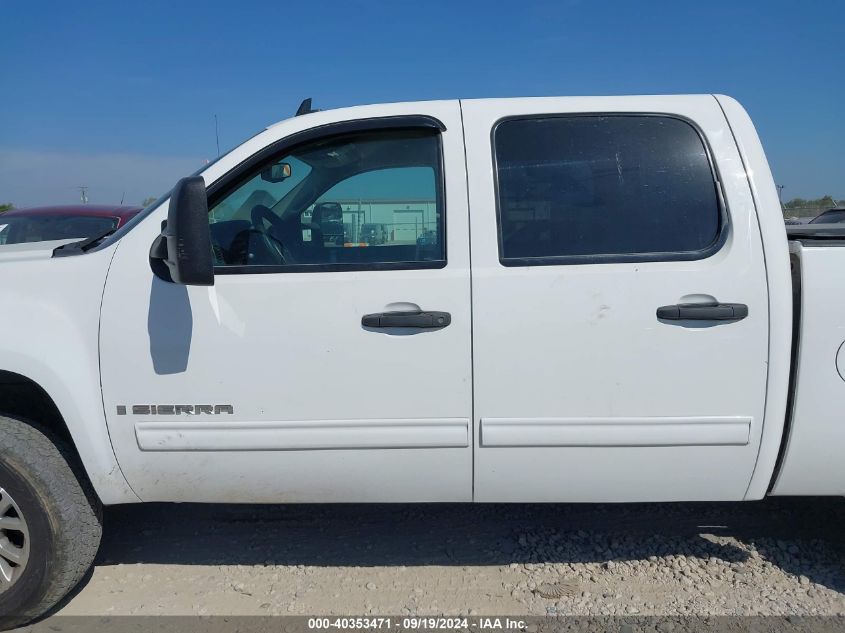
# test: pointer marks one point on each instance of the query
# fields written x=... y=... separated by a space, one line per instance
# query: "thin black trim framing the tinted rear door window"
x=612 y=258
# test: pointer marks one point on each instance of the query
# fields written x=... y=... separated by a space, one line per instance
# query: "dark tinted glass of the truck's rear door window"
x=611 y=186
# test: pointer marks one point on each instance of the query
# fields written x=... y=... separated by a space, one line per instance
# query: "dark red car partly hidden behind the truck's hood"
x=39 y=224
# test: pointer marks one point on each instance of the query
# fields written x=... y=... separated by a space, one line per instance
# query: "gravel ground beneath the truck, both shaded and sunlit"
x=781 y=556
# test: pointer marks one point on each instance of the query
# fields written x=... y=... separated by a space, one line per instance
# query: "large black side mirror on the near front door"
x=182 y=253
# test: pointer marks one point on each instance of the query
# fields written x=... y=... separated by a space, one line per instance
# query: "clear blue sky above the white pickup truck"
x=120 y=96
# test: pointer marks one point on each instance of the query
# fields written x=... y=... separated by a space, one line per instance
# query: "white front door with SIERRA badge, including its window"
x=306 y=373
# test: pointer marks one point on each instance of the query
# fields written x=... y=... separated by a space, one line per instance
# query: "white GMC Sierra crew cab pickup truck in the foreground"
x=570 y=299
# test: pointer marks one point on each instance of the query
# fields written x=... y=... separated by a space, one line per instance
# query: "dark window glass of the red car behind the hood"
x=38 y=228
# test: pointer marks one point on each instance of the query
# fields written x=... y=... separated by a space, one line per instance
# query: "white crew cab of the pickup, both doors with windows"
x=562 y=228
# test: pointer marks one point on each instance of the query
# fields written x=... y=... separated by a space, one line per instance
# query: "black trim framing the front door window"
x=240 y=174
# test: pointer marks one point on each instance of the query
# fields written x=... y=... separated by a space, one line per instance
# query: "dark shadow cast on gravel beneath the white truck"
x=787 y=532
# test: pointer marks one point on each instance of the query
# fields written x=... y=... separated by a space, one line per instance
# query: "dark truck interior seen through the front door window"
x=302 y=226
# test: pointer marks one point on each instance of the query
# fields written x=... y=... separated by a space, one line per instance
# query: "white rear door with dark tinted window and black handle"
x=620 y=318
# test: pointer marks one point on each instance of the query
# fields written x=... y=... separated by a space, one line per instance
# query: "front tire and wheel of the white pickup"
x=57 y=539
